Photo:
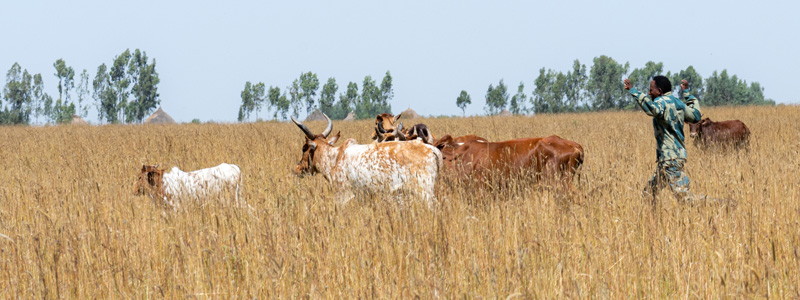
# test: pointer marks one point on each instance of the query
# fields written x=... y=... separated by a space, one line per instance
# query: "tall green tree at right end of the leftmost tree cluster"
x=144 y=89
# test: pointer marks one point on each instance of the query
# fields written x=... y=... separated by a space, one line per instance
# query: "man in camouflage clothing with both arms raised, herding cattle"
x=668 y=114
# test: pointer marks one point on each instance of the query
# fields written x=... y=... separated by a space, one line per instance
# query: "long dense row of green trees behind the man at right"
x=601 y=88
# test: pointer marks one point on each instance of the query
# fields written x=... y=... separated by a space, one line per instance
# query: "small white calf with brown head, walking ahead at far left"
x=178 y=184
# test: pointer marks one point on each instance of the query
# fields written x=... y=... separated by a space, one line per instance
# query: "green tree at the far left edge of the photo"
x=18 y=95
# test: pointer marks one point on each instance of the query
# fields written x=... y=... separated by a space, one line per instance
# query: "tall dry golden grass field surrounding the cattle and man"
x=70 y=226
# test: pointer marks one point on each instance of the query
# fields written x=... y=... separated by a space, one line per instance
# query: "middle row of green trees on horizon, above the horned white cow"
x=305 y=93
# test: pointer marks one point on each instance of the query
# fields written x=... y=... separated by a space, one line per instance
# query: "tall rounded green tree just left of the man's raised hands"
x=605 y=84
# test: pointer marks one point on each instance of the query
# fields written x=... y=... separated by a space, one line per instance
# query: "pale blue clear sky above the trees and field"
x=205 y=51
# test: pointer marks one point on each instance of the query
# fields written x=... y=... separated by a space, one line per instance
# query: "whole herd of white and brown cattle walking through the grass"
x=408 y=161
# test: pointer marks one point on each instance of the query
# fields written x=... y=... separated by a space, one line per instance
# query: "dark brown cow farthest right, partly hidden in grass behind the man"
x=725 y=133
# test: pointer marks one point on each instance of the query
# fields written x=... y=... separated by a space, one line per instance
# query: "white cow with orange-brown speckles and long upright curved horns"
x=405 y=167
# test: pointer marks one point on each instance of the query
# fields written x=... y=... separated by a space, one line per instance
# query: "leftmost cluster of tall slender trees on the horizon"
x=127 y=91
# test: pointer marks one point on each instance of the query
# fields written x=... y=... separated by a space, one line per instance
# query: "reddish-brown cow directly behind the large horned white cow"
x=547 y=157
